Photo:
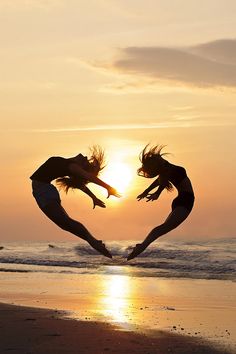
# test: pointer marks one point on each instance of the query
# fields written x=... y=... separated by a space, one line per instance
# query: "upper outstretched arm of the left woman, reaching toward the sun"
x=77 y=170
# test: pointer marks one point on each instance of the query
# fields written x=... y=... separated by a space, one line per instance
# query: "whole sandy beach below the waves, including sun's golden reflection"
x=91 y=313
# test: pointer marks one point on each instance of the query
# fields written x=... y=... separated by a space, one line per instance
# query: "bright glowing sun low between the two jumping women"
x=118 y=174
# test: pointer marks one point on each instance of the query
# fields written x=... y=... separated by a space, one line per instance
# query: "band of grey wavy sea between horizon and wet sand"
x=212 y=259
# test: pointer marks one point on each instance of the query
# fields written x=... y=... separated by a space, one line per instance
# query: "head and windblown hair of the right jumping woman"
x=153 y=163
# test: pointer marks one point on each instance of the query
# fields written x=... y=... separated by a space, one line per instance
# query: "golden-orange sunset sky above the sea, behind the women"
x=120 y=74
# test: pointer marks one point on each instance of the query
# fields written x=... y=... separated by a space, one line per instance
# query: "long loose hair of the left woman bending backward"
x=96 y=163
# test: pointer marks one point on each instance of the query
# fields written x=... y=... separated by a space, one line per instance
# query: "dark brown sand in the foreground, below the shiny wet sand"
x=39 y=331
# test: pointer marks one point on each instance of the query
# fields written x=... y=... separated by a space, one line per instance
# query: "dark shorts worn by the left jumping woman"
x=45 y=193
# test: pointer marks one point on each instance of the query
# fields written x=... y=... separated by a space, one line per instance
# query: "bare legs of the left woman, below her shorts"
x=59 y=216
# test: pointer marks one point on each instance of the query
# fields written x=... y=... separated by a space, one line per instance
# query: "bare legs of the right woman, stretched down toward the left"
x=174 y=219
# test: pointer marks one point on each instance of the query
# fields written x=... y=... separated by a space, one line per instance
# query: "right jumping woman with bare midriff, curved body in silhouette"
x=168 y=175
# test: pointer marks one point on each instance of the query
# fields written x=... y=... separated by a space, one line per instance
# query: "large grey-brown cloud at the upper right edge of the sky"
x=210 y=64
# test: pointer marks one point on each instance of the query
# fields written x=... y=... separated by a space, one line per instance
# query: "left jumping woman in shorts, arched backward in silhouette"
x=74 y=172
